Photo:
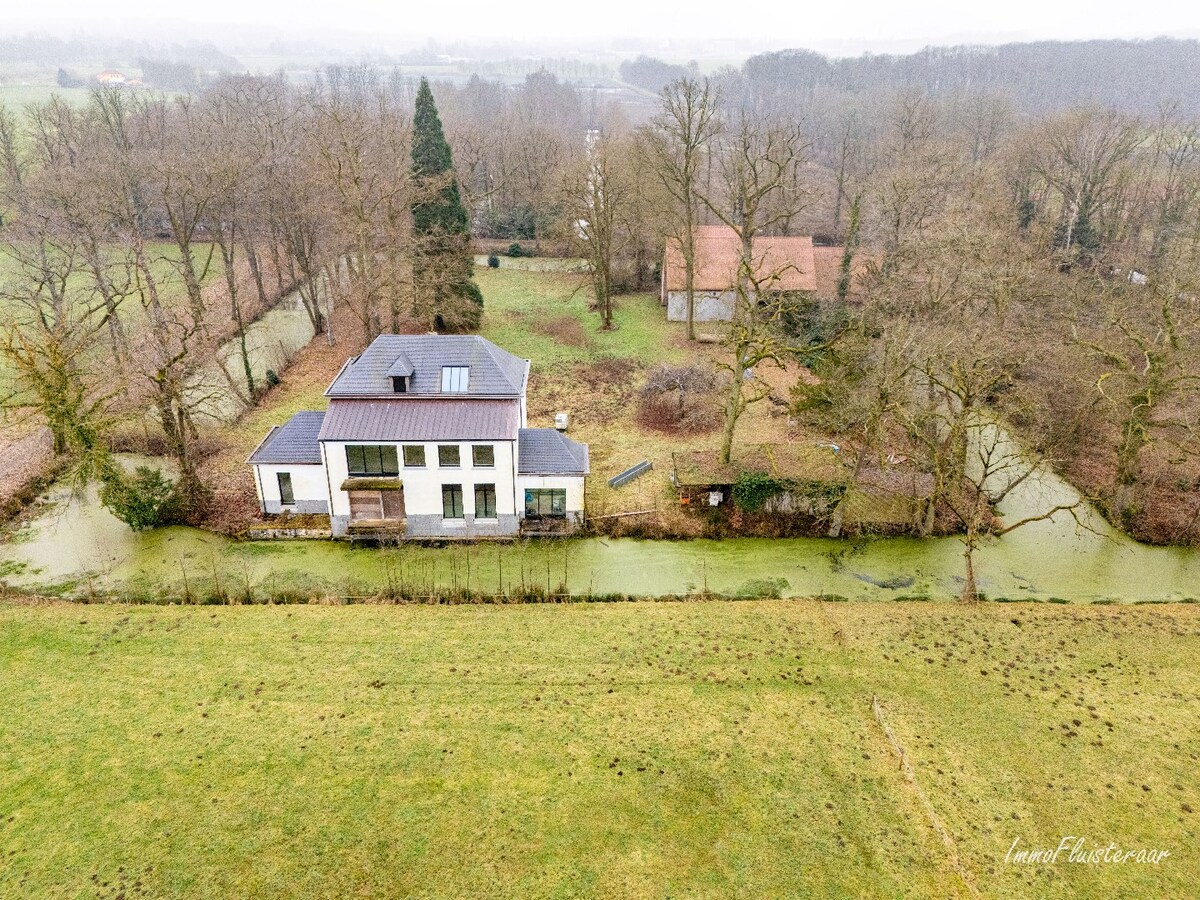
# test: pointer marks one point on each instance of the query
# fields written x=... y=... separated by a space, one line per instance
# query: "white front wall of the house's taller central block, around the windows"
x=423 y=487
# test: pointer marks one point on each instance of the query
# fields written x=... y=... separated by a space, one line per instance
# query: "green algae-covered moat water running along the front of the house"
x=76 y=541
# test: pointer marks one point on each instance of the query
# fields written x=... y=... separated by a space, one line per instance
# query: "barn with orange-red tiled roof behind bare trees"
x=790 y=263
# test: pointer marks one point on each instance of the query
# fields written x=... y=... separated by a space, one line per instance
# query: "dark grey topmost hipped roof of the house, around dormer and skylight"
x=494 y=373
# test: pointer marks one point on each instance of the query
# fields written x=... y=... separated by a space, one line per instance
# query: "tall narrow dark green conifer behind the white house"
x=446 y=296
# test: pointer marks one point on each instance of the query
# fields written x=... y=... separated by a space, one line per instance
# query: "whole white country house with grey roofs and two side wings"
x=425 y=436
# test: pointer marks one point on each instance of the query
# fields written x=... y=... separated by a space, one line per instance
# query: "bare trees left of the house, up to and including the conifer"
x=121 y=214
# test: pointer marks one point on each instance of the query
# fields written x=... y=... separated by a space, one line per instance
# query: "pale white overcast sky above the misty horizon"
x=841 y=28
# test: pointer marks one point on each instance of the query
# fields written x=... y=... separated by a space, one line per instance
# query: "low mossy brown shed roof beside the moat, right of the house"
x=795 y=463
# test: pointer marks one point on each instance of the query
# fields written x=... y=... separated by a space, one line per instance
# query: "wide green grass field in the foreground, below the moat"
x=592 y=751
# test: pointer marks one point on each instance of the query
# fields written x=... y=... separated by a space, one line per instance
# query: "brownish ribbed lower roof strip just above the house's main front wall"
x=422 y=421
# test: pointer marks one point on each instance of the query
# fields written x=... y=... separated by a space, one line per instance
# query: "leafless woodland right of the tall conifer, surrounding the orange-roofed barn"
x=995 y=267
